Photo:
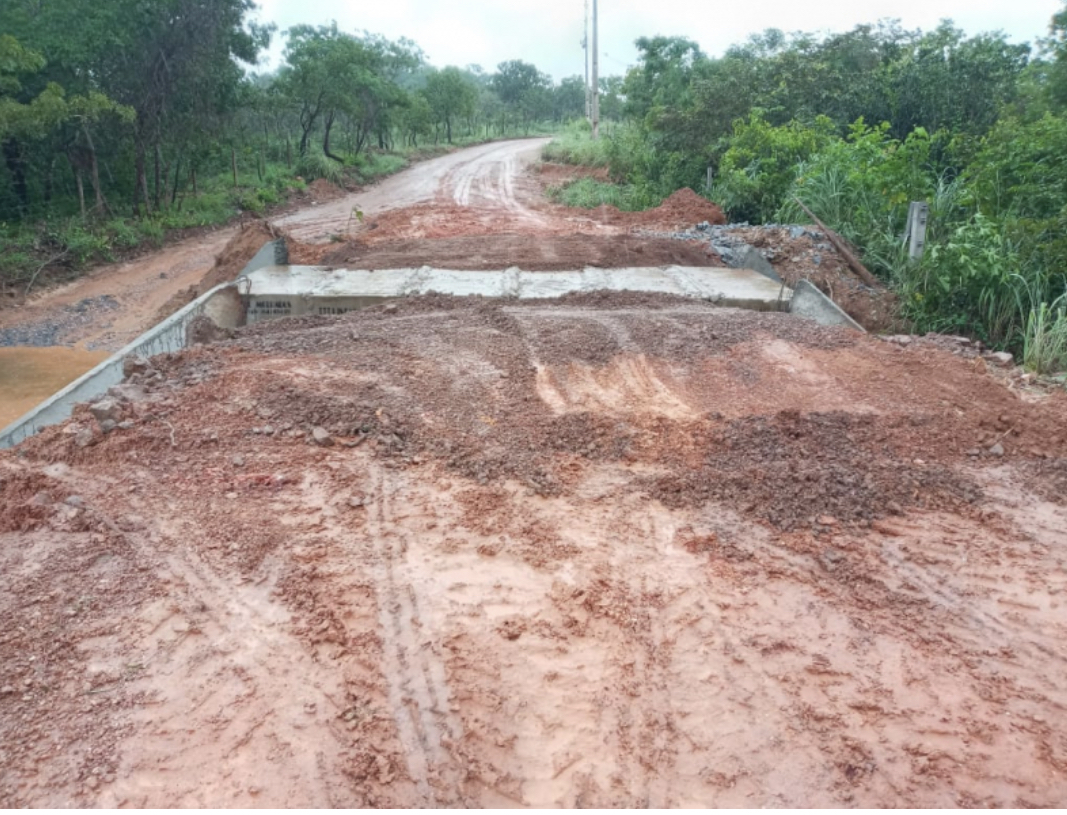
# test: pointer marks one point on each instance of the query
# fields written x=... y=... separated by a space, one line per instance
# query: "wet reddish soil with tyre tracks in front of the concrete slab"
x=608 y=551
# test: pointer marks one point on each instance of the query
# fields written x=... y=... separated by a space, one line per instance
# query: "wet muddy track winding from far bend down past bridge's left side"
x=113 y=306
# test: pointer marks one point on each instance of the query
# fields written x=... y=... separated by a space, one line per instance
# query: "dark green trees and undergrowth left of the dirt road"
x=122 y=120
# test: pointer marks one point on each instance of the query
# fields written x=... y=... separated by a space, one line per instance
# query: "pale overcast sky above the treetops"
x=549 y=33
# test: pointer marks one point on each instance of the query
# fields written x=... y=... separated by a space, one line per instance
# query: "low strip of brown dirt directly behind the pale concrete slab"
x=532 y=253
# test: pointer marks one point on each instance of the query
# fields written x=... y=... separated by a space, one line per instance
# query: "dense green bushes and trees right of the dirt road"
x=857 y=126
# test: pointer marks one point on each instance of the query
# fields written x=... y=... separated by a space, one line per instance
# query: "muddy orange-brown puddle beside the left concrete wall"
x=29 y=376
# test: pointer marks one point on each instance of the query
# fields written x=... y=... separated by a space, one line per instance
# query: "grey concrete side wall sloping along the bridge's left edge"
x=168 y=337
